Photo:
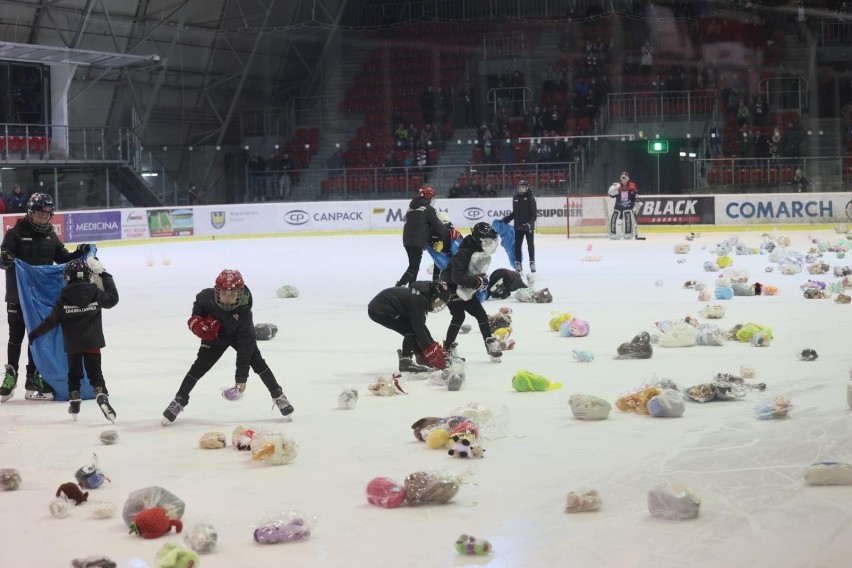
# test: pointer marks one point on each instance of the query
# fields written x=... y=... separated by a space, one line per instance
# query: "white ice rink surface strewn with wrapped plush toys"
x=755 y=508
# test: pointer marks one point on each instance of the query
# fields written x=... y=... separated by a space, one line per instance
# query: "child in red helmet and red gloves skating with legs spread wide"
x=222 y=318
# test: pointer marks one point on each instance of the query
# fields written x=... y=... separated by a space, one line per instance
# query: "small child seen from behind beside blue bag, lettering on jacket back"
x=78 y=312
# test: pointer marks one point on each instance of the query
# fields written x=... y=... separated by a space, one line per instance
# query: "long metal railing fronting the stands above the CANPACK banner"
x=553 y=178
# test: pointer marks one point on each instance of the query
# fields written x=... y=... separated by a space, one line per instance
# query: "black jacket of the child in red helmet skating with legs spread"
x=237 y=329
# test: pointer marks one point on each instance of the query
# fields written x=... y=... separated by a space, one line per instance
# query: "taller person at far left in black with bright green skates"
x=32 y=240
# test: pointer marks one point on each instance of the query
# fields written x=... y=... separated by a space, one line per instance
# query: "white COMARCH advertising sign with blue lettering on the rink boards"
x=782 y=208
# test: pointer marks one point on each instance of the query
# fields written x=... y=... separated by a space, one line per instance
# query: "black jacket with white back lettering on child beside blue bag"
x=78 y=311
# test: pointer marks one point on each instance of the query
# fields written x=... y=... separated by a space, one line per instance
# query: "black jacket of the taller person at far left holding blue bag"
x=32 y=247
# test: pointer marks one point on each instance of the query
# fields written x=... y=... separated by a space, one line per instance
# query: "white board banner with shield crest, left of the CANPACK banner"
x=236 y=220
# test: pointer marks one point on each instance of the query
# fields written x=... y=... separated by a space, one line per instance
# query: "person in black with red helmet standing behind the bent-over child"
x=421 y=228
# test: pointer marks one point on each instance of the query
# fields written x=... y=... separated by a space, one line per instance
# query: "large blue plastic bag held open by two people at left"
x=38 y=290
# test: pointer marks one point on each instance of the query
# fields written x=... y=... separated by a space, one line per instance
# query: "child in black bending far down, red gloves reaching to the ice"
x=404 y=311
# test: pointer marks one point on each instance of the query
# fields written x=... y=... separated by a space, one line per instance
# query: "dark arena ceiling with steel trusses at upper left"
x=193 y=63
